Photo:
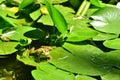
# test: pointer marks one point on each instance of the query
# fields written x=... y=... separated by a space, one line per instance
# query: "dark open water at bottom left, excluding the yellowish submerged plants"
x=20 y=70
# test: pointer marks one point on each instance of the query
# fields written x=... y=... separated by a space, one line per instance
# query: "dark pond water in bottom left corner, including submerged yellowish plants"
x=12 y=69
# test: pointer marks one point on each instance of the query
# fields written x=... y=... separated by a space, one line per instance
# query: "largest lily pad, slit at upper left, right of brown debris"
x=78 y=59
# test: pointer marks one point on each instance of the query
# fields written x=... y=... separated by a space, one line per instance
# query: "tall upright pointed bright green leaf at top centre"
x=57 y=18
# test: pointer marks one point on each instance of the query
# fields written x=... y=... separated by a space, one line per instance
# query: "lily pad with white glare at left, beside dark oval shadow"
x=18 y=33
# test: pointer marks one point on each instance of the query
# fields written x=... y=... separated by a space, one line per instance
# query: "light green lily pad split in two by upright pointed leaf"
x=65 y=11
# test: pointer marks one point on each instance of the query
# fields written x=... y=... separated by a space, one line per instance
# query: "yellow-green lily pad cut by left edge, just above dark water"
x=8 y=48
